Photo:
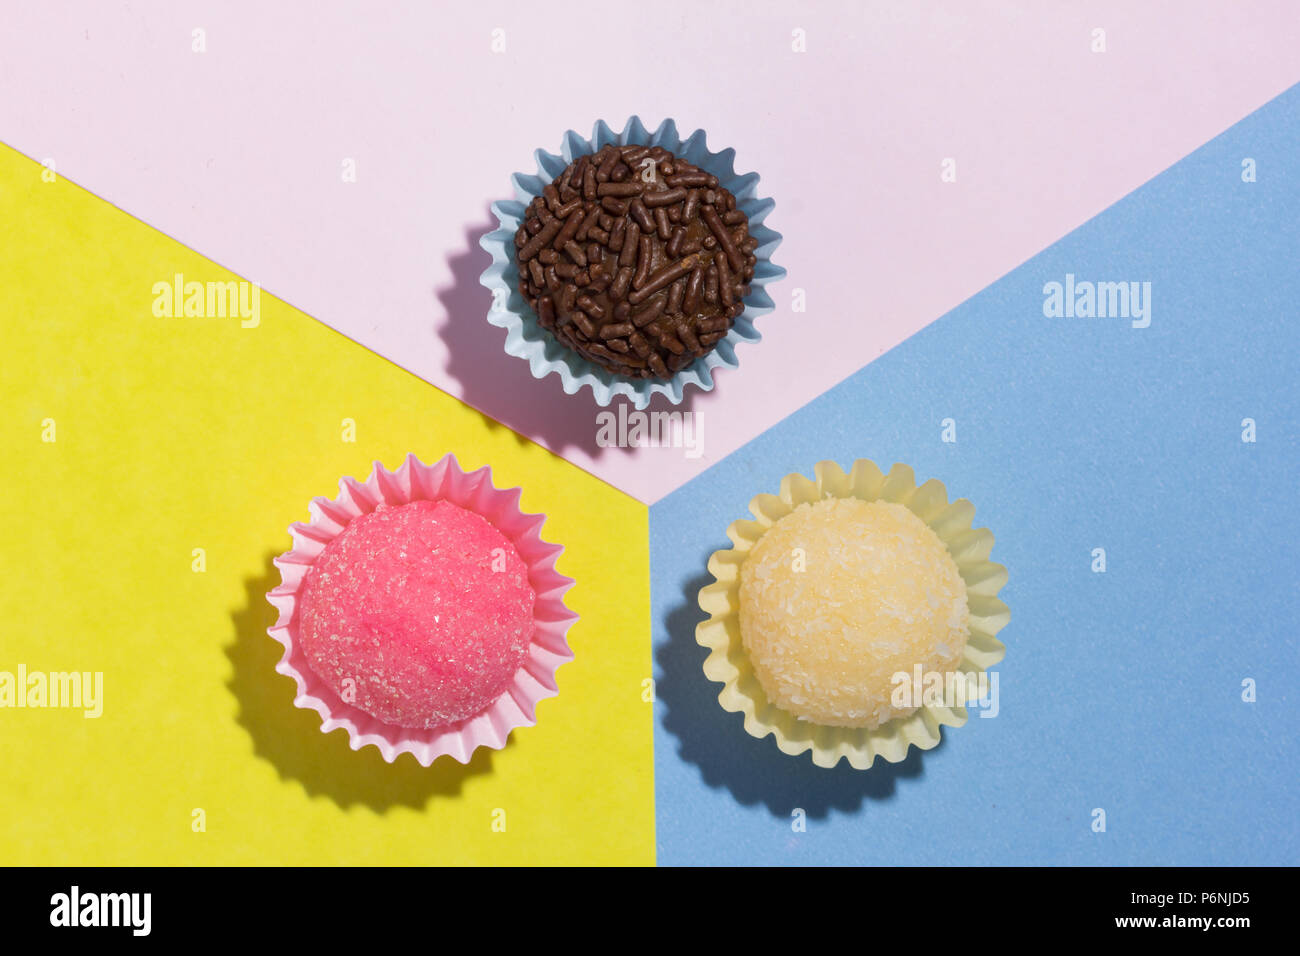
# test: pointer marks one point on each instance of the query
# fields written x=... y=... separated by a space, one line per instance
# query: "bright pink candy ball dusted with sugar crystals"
x=419 y=615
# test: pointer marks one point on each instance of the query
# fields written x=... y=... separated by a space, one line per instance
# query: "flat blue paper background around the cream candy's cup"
x=1120 y=690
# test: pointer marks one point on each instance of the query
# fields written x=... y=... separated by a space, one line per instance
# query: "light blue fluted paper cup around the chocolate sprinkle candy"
x=545 y=356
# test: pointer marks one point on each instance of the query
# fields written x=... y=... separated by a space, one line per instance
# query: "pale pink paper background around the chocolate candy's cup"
x=237 y=153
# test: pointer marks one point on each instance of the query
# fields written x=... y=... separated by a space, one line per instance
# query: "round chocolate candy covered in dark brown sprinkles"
x=636 y=259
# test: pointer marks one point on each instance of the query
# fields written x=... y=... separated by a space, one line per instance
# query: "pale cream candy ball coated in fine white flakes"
x=842 y=595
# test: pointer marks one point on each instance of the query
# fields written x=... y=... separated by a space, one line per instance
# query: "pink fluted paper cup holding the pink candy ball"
x=474 y=492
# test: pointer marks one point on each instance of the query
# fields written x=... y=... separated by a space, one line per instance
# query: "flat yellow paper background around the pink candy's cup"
x=184 y=434
